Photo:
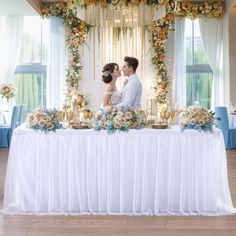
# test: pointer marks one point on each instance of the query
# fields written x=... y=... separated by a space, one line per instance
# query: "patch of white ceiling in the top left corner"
x=16 y=7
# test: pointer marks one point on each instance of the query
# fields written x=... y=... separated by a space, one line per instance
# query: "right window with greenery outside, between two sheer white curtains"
x=199 y=73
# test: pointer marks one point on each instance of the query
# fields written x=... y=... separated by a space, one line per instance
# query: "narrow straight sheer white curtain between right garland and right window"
x=179 y=64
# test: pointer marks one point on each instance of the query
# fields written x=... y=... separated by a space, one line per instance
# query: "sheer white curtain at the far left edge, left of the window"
x=11 y=31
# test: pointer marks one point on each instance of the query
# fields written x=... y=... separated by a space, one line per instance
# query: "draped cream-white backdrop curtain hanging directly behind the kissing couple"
x=102 y=46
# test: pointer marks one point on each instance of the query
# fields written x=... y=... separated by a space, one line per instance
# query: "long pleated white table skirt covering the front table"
x=142 y=172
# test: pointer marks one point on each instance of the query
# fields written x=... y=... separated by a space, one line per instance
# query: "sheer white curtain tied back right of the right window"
x=212 y=38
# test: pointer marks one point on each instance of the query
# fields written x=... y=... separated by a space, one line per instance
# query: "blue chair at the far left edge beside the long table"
x=7 y=130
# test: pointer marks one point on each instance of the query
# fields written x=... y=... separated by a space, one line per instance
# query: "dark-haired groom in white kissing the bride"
x=131 y=95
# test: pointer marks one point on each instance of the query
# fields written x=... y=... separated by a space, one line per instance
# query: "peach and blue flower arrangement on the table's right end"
x=196 y=117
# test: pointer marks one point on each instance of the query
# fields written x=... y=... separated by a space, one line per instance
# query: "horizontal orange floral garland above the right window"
x=195 y=10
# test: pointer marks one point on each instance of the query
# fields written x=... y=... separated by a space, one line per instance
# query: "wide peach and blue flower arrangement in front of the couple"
x=121 y=119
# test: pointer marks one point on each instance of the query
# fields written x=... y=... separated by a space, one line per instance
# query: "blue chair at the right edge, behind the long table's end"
x=229 y=133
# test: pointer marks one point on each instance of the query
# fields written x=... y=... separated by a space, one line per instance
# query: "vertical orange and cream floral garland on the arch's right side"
x=160 y=33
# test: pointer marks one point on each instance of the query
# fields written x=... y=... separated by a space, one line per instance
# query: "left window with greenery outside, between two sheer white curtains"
x=30 y=74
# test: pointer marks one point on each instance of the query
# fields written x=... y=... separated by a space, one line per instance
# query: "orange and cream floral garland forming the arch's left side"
x=77 y=32
